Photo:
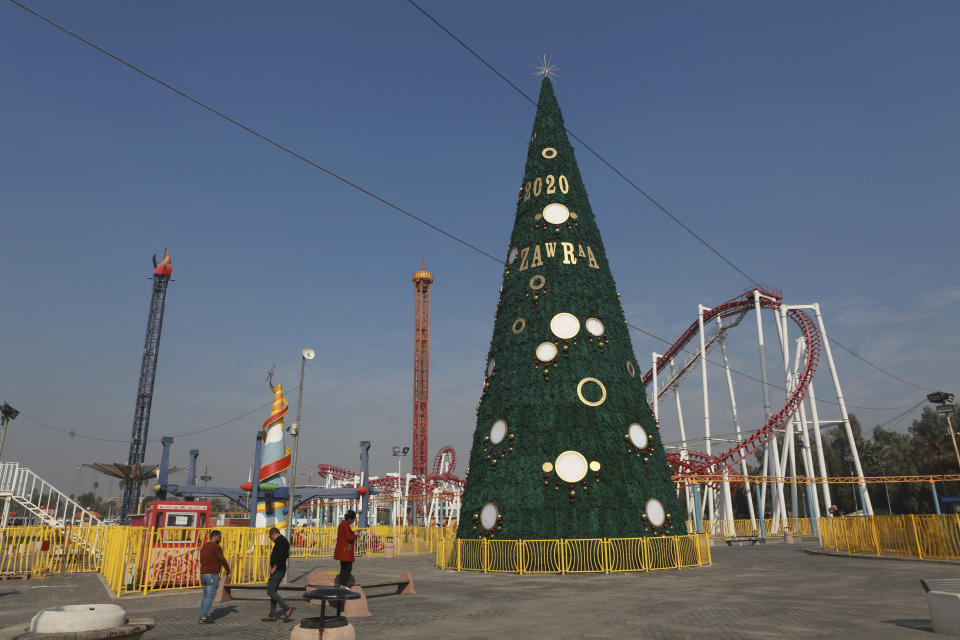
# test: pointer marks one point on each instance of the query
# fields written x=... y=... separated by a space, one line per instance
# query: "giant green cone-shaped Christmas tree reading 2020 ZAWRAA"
x=566 y=445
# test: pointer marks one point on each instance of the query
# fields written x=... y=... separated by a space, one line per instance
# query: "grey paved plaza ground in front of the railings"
x=764 y=592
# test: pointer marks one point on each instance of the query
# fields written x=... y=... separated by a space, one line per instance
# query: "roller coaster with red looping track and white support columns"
x=777 y=439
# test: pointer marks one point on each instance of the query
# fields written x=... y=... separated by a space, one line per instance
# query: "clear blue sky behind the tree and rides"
x=814 y=145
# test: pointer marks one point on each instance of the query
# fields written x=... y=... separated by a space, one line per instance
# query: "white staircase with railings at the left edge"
x=46 y=503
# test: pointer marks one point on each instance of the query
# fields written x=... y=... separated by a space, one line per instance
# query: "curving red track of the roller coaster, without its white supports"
x=703 y=464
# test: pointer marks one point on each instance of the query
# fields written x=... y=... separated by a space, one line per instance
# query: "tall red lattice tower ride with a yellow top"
x=421 y=369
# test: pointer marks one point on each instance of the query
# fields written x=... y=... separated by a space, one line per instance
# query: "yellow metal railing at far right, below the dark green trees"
x=912 y=536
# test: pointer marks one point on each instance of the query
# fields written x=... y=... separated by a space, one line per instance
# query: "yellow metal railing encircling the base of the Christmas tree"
x=597 y=555
